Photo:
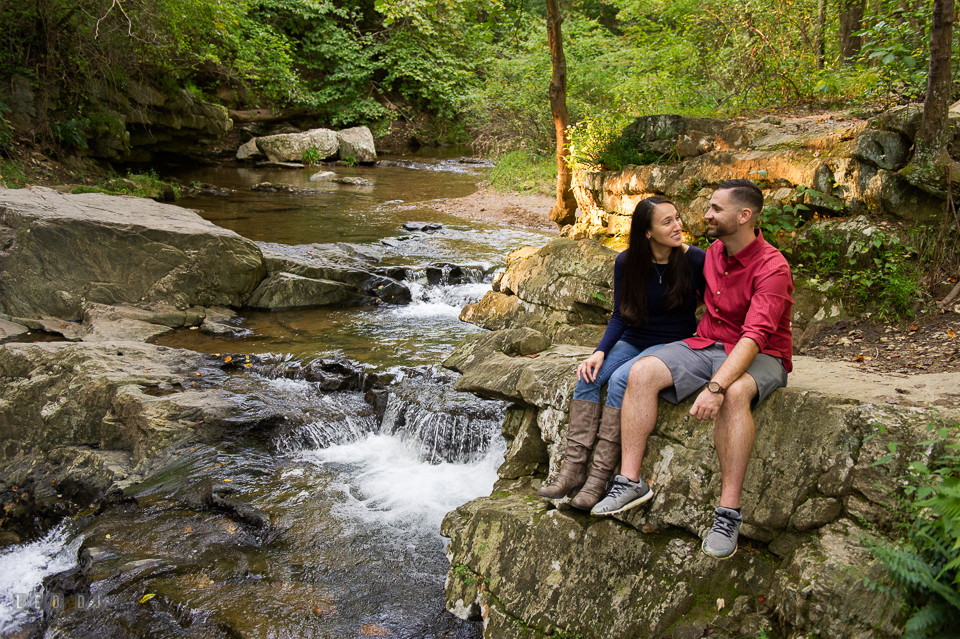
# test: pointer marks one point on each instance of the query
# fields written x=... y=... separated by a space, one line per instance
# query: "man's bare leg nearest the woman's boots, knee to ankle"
x=638 y=415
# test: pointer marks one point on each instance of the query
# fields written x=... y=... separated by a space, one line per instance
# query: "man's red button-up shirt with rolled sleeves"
x=748 y=295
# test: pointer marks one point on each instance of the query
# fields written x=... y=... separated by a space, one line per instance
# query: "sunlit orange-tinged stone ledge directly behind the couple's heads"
x=851 y=166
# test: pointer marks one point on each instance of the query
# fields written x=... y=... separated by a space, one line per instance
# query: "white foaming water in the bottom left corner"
x=22 y=570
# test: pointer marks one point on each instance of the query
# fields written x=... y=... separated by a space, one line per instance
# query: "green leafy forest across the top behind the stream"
x=468 y=71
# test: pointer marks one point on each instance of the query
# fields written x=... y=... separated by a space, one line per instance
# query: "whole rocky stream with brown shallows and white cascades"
x=334 y=522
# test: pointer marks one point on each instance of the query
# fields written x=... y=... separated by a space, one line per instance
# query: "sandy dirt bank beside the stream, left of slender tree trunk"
x=511 y=209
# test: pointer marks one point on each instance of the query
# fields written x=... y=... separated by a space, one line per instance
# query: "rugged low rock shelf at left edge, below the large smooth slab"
x=79 y=422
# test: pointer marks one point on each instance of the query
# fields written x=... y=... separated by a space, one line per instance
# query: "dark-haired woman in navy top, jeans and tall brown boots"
x=656 y=284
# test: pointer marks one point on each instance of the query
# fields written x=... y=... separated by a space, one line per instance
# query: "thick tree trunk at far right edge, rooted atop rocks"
x=928 y=167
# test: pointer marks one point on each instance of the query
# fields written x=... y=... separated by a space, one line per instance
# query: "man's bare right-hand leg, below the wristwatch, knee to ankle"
x=733 y=438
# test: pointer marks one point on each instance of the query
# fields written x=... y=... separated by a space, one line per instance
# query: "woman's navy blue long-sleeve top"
x=662 y=326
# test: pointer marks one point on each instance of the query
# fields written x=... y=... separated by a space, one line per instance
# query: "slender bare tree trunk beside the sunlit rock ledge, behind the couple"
x=563 y=212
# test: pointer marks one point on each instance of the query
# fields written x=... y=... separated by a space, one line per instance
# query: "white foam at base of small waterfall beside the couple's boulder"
x=388 y=485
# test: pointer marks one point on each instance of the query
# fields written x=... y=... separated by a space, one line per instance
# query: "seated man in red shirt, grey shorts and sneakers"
x=742 y=353
